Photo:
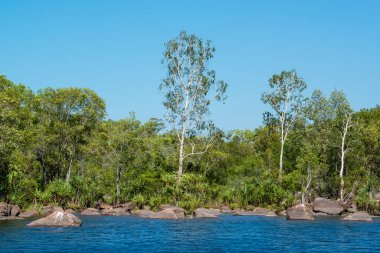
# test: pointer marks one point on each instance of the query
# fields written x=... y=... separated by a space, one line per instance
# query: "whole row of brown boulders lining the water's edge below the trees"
x=56 y=216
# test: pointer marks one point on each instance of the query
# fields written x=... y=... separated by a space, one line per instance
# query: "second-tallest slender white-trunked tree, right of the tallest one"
x=286 y=99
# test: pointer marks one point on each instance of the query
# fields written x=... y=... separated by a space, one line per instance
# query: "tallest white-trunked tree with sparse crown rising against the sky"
x=187 y=91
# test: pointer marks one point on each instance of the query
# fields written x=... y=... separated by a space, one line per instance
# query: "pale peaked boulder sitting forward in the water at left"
x=57 y=219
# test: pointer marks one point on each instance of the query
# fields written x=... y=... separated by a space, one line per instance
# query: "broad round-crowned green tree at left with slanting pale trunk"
x=67 y=119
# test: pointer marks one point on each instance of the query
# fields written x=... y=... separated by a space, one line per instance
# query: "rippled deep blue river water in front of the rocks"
x=224 y=234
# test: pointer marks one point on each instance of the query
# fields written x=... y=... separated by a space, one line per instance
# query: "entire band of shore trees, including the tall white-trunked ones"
x=56 y=147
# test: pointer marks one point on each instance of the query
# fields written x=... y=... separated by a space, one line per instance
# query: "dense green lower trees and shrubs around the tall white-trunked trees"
x=57 y=147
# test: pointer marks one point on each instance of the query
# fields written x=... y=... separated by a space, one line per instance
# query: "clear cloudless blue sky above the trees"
x=115 y=48
